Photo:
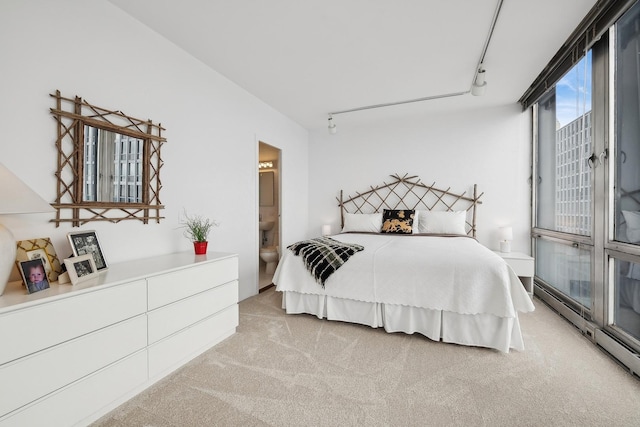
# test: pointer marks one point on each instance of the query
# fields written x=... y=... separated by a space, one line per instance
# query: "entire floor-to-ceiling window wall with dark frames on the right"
x=587 y=192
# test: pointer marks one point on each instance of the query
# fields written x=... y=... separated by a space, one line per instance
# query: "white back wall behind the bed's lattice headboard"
x=489 y=147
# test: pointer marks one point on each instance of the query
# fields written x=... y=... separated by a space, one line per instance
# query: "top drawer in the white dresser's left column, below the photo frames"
x=42 y=326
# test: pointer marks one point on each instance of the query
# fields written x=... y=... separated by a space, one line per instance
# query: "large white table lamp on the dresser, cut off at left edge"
x=15 y=198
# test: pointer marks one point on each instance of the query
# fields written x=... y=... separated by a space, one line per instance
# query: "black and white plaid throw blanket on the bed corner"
x=323 y=255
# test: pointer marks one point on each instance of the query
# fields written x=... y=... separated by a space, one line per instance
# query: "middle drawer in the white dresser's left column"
x=31 y=377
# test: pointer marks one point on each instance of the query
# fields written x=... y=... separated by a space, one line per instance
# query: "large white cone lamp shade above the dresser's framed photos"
x=17 y=198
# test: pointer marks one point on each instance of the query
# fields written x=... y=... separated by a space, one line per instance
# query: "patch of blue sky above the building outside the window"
x=573 y=92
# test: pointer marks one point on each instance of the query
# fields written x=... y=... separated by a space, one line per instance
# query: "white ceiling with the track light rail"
x=309 y=58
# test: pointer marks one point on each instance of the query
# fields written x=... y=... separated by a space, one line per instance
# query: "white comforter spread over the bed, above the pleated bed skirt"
x=454 y=274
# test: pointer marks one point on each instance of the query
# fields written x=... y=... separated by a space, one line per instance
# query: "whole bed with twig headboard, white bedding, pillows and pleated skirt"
x=415 y=267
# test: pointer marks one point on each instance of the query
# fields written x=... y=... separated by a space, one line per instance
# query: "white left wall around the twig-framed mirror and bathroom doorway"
x=92 y=49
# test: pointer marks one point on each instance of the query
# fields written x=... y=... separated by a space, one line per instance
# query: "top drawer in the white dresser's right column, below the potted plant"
x=180 y=284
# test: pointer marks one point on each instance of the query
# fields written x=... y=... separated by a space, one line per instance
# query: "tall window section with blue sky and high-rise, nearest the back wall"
x=564 y=196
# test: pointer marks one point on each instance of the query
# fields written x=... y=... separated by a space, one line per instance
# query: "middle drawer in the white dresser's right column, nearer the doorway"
x=171 y=318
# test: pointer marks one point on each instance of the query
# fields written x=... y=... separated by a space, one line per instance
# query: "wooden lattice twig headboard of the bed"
x=407 y=192
